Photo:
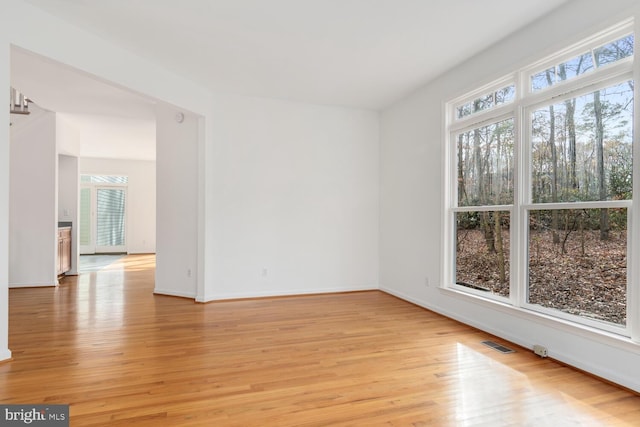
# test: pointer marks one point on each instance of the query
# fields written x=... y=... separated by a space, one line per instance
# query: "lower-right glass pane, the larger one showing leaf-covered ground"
x=578 y=262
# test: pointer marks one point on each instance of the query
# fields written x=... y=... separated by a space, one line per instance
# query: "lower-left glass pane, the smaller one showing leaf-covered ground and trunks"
x=482 y=251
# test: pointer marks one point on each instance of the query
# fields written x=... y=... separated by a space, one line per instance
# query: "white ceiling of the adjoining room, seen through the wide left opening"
x=110 y=122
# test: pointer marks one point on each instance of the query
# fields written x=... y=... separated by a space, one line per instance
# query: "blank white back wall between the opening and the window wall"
x=298 y=208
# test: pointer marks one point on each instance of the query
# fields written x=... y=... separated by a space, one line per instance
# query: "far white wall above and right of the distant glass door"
x=141 y=198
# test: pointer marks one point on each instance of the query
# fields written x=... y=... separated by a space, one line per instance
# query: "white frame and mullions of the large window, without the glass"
x=525 y=101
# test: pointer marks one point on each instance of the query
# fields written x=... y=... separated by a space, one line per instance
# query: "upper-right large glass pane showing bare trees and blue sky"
x=581 y=148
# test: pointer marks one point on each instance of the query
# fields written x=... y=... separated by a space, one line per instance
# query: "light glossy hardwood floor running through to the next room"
x=120 y=355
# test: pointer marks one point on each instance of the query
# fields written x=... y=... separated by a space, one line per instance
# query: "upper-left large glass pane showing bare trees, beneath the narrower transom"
x=485 y=165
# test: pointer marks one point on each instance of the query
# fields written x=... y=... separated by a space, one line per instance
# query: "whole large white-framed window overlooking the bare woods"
x=540 y=186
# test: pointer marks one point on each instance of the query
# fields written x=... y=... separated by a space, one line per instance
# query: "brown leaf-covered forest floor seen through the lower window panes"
x=587 y=278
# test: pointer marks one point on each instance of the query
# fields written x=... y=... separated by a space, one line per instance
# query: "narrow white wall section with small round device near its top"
x=177 y=201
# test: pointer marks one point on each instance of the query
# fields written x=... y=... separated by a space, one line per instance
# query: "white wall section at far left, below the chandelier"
x=33 y=213
